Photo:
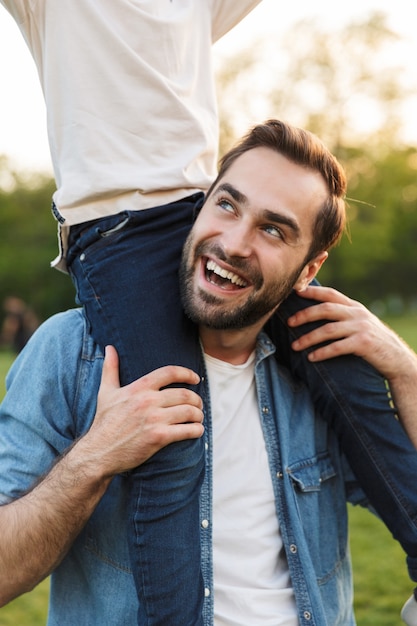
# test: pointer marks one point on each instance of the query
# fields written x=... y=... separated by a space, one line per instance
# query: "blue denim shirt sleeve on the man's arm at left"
x=37 y=421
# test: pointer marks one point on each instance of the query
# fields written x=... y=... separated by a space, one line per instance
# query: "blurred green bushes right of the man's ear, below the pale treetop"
x=376 y=262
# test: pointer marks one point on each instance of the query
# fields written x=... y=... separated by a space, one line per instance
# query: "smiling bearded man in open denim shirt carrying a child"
x=273 y=522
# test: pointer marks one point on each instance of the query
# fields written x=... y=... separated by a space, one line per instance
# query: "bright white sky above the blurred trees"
x=22 y=111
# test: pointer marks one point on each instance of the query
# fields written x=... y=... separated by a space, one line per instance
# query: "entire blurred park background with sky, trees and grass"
x=348 y=77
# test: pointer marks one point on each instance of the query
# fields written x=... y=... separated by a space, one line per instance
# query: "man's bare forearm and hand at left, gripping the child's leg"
x=130 y=425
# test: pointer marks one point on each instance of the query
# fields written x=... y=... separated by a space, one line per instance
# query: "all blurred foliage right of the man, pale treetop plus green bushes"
x=346 y=85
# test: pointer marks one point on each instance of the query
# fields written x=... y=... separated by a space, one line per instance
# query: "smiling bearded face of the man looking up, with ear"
x=252 y=241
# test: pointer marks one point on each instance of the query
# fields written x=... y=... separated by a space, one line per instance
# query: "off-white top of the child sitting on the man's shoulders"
x=131 y=106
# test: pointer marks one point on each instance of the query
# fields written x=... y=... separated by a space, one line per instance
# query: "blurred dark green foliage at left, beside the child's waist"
x=28 y=243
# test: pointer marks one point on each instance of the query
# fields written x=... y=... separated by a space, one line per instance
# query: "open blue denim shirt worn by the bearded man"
x=51 y=400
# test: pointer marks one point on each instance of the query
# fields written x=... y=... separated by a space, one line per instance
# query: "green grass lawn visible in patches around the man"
x=380 y=576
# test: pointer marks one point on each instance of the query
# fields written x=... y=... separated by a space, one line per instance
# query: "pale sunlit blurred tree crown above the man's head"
x=341 y=84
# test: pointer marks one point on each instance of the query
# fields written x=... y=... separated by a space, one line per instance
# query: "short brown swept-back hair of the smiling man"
x=306 y=149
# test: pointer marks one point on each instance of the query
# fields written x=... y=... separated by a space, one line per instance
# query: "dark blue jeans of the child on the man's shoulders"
x=138 y=254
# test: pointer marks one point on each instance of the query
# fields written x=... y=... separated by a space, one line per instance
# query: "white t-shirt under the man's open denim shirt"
x=252 y=584
